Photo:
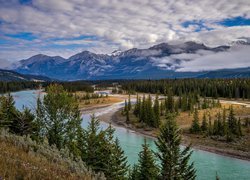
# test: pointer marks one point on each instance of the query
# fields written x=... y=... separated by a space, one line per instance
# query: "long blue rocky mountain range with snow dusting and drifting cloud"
x=159 y=61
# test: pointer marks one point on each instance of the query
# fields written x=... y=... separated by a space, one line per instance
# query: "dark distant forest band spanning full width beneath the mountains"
x=227 y=88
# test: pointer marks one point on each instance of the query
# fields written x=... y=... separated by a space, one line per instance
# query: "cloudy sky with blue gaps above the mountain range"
x=66 y=27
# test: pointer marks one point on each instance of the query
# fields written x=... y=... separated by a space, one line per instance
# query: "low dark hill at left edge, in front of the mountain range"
x=6 y=75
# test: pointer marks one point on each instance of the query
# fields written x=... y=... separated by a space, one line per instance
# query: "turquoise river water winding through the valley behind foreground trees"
x=206 y=163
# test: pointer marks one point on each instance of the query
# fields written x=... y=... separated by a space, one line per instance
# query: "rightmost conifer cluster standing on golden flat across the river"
x=227 y=126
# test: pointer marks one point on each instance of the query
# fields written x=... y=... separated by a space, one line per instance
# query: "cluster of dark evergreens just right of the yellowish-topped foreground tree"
x=102 y=152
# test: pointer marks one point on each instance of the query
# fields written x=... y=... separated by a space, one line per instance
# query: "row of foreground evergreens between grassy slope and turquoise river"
x=57 y=120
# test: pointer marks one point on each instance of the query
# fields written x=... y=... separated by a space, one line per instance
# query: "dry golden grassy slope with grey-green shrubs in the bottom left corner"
x=21 y=158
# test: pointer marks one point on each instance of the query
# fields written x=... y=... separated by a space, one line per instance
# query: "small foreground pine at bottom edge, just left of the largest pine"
x=147 y=168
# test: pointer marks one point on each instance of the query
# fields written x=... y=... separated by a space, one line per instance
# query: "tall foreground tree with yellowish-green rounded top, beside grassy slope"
x=60 y=117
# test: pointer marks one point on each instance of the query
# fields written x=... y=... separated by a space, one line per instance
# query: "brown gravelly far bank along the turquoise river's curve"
x=197 y=142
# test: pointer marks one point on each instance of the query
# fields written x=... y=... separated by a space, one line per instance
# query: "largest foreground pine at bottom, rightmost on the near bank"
x=174 y=162
